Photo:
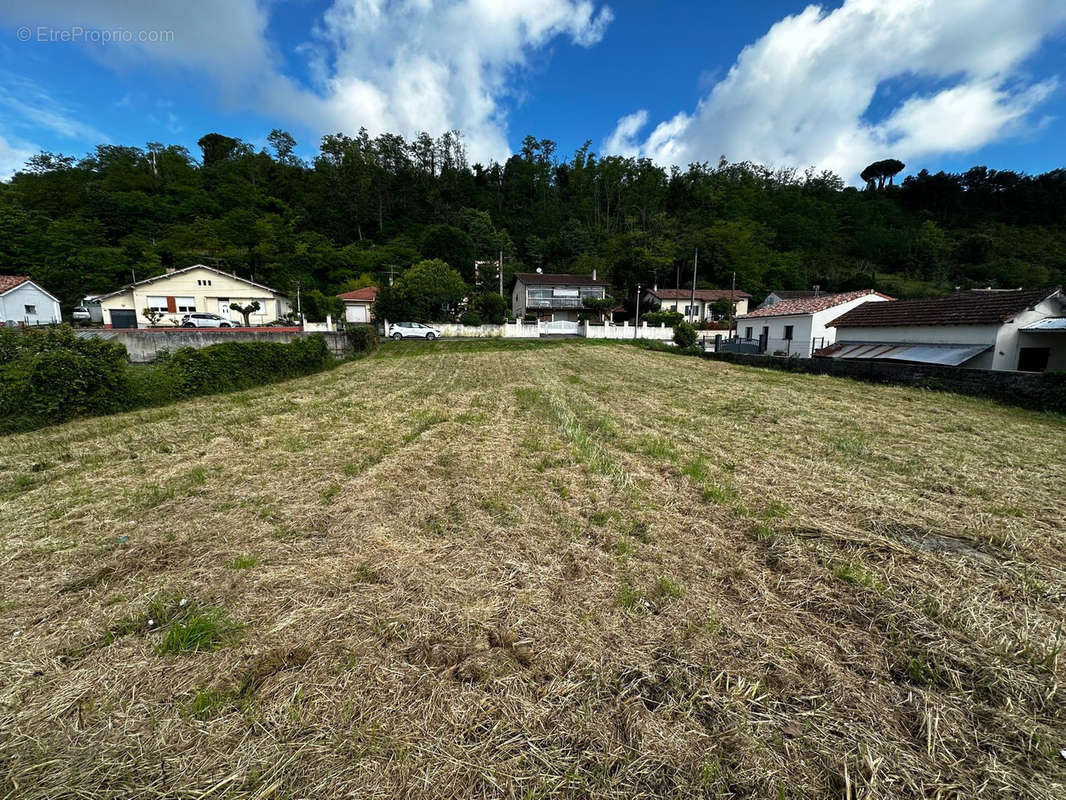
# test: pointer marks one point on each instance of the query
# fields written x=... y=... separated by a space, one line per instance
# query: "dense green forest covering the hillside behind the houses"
x=367 y=209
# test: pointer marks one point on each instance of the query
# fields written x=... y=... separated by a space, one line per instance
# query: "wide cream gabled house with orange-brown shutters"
x=196 y=289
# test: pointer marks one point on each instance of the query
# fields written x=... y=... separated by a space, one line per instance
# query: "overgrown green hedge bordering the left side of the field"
x=53 y=376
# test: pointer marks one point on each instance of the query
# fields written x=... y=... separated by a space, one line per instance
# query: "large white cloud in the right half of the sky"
x=803 y=93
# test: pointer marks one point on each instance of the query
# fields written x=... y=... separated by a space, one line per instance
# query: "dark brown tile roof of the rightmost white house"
x=981 y=308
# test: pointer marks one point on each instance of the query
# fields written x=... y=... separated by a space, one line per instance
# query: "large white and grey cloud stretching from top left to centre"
x=387 y=66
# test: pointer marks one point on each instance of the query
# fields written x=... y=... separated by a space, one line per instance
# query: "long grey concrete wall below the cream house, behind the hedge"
x=144 y=345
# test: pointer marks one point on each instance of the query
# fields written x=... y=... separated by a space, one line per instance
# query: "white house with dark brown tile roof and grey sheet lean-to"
x=989 y=329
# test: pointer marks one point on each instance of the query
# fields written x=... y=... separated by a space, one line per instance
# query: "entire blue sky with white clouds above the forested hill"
x=941 y=85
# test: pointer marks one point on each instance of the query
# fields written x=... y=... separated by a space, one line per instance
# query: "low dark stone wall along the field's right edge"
x=1040 y=391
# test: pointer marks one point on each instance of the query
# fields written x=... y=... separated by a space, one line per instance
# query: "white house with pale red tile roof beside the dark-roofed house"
x=800 y=326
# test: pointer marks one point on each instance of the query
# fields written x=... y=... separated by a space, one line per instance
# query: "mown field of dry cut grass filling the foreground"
x=562 y=570
